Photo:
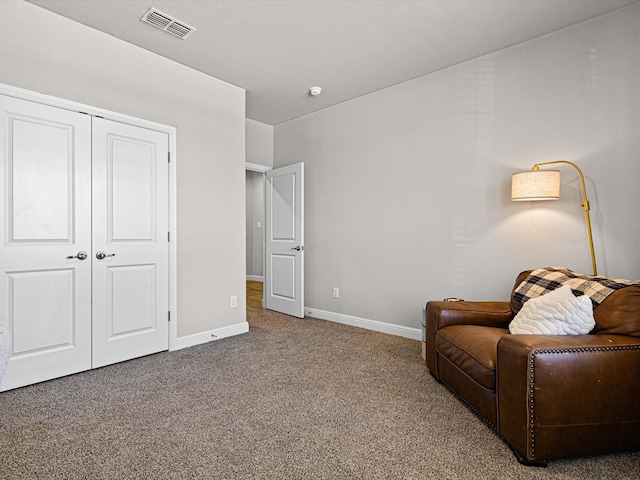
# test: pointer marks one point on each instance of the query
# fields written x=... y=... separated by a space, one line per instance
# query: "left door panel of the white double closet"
x=45 y=224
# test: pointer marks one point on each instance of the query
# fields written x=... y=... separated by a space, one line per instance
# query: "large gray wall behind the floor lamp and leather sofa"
x=407 y=189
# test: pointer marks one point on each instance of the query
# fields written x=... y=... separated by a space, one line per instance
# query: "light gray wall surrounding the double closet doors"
x=47 y=53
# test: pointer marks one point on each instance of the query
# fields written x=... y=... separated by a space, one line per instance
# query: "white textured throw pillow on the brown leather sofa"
x=558 y=312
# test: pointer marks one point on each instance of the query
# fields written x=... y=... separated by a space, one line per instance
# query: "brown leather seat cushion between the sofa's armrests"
x=473 y=349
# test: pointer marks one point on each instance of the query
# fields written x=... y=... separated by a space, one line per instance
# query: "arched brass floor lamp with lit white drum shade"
x=545 y=185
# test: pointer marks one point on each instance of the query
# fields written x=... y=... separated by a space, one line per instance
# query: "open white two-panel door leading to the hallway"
x=284 y=249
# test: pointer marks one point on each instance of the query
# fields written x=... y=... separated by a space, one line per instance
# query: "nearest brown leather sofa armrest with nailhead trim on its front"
x=568 y=395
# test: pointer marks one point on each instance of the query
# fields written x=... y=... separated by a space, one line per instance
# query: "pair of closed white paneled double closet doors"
x=84 y=253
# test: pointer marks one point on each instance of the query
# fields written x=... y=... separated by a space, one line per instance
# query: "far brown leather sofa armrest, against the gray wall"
x=443 y=314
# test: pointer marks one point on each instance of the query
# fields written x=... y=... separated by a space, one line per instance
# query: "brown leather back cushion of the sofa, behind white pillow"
x=618 y=314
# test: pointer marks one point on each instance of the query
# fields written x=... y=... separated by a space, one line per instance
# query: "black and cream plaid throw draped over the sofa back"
x=544 y=280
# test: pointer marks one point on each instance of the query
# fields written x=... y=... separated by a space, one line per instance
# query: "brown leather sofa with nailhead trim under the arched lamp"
x=547 y=396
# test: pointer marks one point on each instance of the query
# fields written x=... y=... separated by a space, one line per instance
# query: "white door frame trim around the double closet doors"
x=51 y=101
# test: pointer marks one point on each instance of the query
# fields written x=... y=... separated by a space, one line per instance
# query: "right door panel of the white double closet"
x=130 y=242
